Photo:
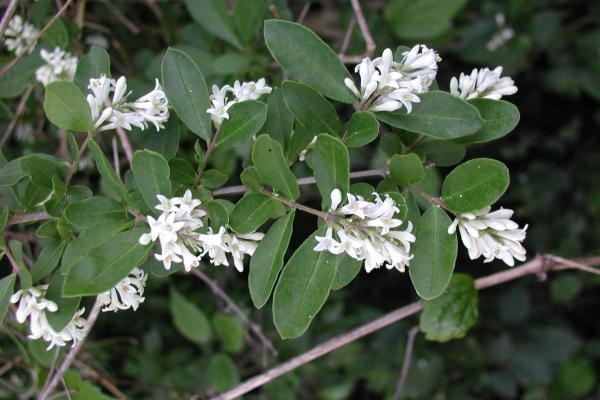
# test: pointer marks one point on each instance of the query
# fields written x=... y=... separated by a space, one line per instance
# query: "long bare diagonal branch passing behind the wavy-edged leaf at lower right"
x=535 y=266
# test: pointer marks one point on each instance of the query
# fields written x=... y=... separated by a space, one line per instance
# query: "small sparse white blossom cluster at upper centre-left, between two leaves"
x=241 y=92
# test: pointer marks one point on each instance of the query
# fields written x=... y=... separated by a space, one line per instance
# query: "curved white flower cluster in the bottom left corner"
x=33 y=305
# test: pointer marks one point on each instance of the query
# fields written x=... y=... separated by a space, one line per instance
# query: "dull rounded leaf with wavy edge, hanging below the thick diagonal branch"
x=451 y=315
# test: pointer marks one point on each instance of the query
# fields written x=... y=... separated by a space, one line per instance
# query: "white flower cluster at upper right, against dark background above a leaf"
x=483 y=83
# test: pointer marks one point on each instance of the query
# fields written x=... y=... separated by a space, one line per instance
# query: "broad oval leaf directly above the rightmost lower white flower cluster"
x=475 y=185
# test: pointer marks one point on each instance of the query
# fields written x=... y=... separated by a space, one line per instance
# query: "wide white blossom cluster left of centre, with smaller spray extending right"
x=182 y=239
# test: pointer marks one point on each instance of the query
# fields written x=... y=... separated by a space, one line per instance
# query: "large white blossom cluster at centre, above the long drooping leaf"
x=366 y=232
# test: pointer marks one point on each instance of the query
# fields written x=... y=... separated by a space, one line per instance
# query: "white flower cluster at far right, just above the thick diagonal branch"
x=491 y=235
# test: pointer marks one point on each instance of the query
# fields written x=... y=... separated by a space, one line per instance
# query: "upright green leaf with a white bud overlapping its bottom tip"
x=331 y=167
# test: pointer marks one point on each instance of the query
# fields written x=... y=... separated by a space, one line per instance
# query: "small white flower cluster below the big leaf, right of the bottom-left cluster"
x=126 y=294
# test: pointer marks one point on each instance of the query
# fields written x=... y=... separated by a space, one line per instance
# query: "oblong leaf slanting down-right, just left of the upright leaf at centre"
x=270 y=164
